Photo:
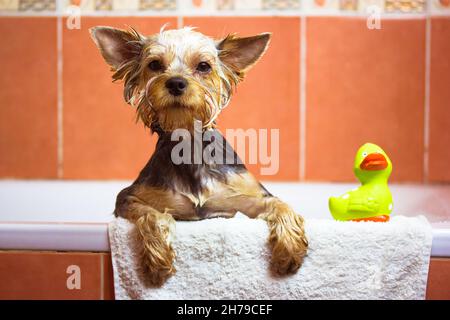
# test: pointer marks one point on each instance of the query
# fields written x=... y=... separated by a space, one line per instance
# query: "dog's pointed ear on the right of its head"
x=240 y=54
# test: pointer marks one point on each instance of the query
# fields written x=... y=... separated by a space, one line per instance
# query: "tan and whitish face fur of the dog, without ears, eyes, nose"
x=179 y=52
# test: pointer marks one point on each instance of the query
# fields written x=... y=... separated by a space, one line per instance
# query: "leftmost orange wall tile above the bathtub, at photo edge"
x=28 y=98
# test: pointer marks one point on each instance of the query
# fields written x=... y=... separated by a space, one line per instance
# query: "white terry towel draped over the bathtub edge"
x=229 y=259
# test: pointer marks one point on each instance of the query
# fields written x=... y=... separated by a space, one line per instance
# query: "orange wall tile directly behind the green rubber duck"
x=364 y=85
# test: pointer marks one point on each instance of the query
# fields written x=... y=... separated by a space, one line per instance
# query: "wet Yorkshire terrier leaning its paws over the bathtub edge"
x=176 y=78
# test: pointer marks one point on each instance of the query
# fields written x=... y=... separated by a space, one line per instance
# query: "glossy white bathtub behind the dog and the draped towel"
x=91 y=234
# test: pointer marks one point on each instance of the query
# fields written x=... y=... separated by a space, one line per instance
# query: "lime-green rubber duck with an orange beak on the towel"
x=372 y=201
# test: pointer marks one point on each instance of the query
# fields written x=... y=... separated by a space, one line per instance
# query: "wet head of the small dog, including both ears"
x=177 y=76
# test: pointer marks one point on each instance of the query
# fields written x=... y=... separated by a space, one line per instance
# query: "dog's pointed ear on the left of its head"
x=117 y=46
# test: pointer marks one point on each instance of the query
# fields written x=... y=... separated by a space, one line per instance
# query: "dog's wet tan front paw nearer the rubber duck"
x=288 y=242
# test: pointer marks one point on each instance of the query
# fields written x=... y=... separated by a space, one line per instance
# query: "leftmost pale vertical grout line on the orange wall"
x=60 y=132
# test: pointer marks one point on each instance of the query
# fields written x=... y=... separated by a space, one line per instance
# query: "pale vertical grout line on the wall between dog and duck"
x=302 y=93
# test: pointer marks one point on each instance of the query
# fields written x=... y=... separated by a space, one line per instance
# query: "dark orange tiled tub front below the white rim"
x=41 y=275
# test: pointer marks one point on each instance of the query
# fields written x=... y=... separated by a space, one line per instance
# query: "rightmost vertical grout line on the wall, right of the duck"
x=426 y=132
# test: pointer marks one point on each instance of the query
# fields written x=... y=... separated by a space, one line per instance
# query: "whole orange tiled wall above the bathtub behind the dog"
x=359 y=85
